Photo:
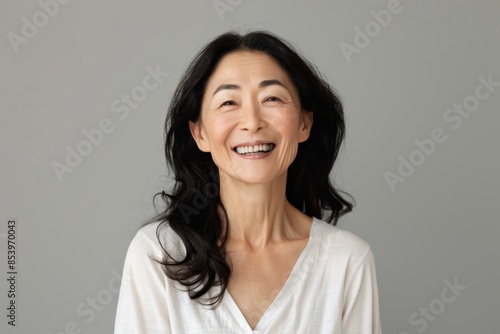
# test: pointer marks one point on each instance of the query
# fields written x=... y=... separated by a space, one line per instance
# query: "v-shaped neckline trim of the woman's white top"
x=284 y=293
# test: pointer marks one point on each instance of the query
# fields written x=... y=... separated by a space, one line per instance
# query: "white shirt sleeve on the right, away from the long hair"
x=361 y=305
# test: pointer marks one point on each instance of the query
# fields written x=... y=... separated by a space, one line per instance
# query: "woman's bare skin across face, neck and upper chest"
x=250 y=99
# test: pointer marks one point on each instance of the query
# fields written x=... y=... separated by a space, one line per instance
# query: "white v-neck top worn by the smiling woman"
x=331 y=289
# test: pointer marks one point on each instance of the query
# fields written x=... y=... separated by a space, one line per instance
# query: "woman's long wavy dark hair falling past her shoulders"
x=193 y=207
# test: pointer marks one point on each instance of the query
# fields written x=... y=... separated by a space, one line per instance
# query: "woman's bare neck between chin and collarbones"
x=259 y=214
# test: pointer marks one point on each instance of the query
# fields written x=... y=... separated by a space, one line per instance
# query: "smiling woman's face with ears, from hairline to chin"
x=251 y=119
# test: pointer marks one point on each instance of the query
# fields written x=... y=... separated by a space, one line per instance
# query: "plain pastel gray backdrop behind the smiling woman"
x=402 y=83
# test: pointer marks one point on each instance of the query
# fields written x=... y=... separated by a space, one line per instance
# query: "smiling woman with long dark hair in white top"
x=252 y=134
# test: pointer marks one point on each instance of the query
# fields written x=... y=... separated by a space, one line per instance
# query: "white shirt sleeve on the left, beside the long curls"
x=142 y=308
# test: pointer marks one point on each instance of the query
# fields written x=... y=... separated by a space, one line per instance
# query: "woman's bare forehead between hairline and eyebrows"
x=247 y=65
